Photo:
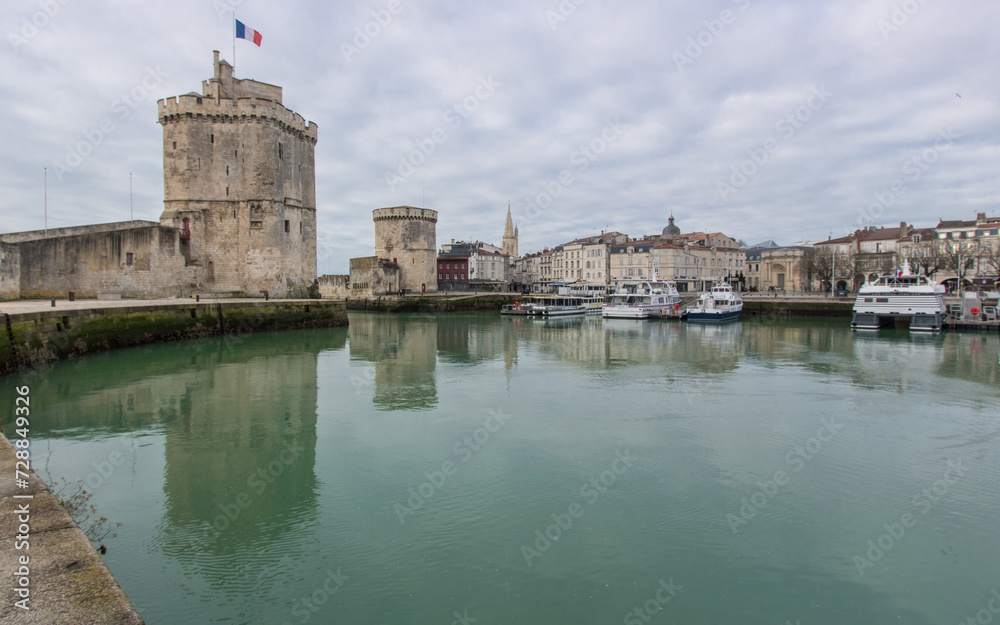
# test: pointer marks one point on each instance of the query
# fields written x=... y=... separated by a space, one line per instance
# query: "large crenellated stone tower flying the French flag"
x=239 y=183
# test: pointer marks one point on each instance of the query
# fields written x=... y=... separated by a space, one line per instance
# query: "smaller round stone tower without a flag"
x=408 y=236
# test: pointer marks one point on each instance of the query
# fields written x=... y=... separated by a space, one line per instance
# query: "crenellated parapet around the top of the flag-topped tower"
x=240 y=110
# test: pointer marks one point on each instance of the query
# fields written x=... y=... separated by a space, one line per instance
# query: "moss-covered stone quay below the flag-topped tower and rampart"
x=36 y=332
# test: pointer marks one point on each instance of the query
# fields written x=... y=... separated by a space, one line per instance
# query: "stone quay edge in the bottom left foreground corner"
x=68 y=582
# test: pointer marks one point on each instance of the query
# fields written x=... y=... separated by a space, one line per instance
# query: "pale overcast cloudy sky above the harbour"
x=765 y=119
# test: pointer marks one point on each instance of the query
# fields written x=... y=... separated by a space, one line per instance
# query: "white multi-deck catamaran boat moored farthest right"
x=901 y=295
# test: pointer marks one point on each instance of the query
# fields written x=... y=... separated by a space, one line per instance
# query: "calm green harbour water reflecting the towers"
x=267 y=479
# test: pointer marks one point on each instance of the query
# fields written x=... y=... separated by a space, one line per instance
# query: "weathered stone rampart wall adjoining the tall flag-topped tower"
x=140 y=261
